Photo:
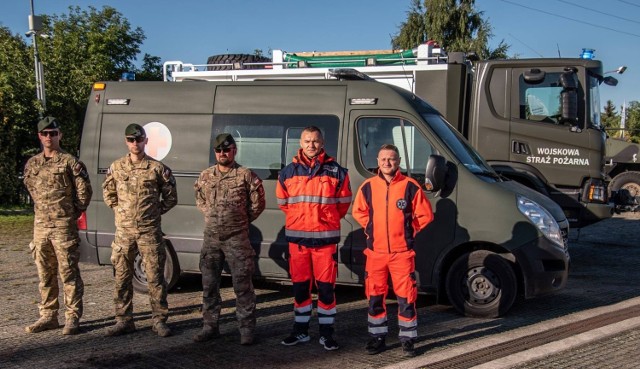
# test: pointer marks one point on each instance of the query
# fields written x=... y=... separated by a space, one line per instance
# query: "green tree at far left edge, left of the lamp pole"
x=17 y=107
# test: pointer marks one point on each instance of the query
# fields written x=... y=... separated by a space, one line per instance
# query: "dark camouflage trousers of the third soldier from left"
x=239 y=256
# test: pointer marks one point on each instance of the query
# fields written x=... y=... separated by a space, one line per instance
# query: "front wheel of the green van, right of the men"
x=481 y=284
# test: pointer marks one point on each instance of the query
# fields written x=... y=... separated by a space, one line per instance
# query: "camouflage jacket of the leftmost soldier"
x=59 y=187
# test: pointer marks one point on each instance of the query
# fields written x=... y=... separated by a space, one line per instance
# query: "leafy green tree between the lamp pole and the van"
x=86 y=46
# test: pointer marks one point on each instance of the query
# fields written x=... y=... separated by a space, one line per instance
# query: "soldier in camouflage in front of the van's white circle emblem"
x=139 y=189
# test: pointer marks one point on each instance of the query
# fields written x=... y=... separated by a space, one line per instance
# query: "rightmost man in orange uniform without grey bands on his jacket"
x=391 y=208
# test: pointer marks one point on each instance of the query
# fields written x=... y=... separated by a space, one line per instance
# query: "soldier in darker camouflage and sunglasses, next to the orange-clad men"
x=231 y=197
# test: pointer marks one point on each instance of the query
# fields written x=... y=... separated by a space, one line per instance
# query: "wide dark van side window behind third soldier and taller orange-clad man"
x=266 y=143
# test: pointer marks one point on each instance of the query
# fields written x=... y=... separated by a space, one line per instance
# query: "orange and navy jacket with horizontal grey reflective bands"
x=314 y=195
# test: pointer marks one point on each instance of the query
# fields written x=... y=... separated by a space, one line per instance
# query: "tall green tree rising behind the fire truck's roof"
x=454 y=24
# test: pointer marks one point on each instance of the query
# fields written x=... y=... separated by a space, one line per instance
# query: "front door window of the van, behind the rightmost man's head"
x=414 y=148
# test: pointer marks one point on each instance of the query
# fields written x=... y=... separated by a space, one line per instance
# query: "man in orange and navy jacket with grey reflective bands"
x=314 y=193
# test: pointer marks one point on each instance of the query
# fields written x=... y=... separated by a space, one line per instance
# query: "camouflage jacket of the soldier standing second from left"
x=139 y=193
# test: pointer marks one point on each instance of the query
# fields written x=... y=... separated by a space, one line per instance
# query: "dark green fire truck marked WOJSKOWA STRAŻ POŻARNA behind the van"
x=536 y=121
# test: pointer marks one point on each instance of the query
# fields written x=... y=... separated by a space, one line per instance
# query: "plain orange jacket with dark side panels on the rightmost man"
x=391 y=213
